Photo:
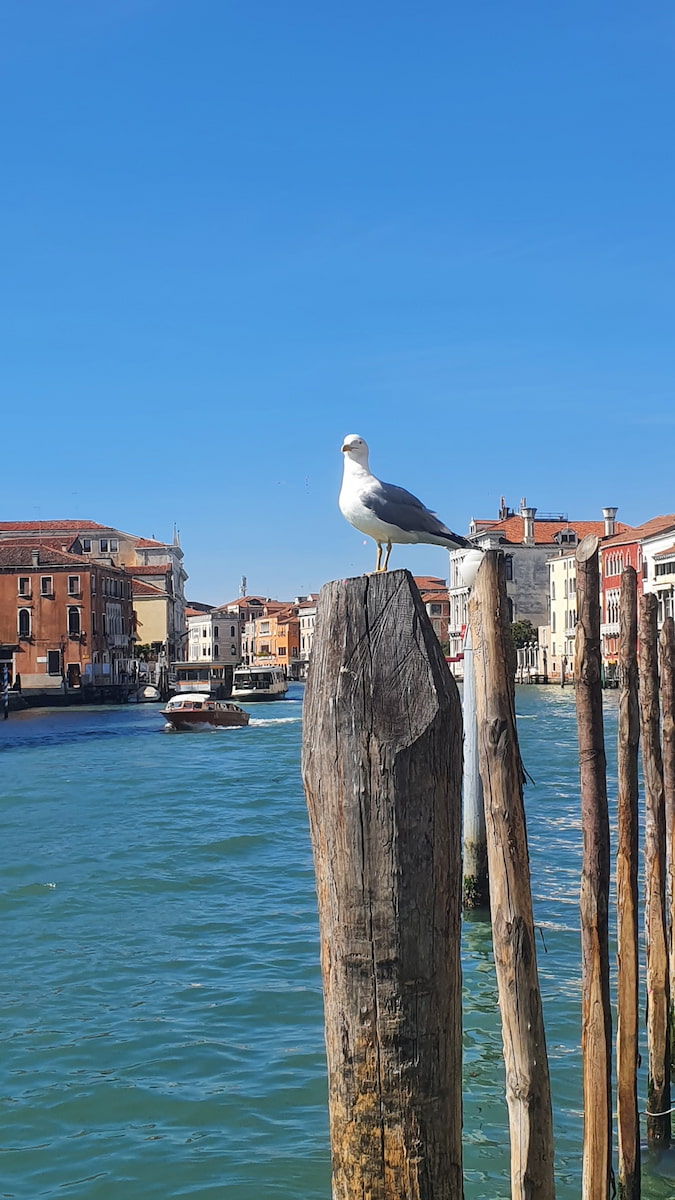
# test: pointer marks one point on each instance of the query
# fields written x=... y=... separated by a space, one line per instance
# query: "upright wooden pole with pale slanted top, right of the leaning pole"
x=596 y=1013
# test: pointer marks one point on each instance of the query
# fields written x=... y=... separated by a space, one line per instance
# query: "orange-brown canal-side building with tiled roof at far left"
x=67 y=623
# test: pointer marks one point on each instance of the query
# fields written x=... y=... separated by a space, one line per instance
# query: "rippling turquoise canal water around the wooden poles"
x=162 y=1016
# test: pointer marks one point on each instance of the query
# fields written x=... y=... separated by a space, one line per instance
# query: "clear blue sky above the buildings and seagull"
x=234 y=233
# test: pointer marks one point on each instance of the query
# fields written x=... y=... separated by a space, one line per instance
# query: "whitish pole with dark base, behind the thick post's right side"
x=476 y=887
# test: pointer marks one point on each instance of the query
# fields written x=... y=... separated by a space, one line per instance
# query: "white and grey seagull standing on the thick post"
x=387 y=513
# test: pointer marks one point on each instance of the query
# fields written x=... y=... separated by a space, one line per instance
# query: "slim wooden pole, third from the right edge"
x=628 y=1000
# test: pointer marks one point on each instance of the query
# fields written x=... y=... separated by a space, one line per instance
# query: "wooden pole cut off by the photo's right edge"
x=668 y=739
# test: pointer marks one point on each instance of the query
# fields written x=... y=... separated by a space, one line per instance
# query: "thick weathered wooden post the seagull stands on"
x=383 y=775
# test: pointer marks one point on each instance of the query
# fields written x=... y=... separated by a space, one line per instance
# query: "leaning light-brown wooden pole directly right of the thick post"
x=528 y=1085
